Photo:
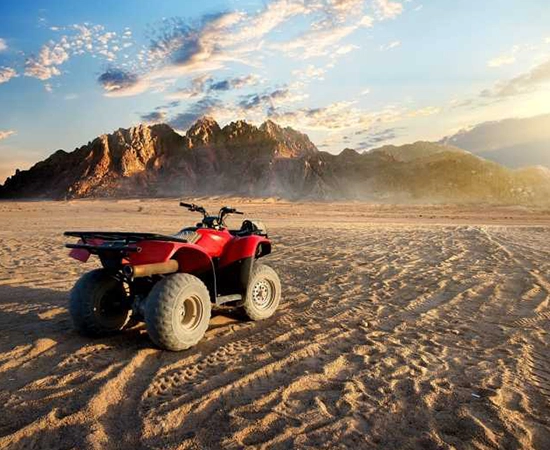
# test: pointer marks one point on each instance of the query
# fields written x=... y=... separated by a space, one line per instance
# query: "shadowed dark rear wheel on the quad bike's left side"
x=99 y=304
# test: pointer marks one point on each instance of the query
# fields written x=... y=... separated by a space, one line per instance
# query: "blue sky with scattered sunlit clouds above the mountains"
x=349 y=73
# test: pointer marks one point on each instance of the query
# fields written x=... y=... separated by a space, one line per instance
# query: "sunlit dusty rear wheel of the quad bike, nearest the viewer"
x=177 y=312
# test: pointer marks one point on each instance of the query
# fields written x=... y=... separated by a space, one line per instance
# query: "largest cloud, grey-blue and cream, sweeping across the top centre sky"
x=183 y=48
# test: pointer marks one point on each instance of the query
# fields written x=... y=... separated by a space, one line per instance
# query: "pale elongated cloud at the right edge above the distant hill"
x=522 y=84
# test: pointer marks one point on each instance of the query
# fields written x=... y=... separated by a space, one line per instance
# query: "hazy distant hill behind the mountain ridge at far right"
x=512 y=142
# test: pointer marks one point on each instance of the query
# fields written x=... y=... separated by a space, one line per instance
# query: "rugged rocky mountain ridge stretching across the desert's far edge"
x=242 y=159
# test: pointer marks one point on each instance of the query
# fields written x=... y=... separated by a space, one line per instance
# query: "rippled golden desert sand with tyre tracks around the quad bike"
x=401 y=327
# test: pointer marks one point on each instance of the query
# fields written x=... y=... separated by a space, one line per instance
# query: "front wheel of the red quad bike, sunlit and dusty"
x=263 y=293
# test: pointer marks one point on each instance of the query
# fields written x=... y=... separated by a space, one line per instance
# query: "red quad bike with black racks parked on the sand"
x=171 y=282
